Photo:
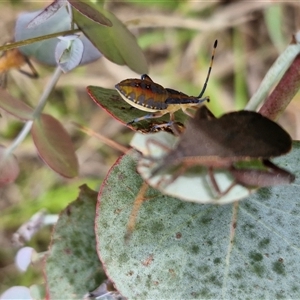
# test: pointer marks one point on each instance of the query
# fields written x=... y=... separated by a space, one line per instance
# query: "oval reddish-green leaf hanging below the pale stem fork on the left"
x=55 y=146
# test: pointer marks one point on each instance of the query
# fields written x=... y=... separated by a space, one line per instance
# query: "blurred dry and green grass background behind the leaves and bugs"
x=177 y=38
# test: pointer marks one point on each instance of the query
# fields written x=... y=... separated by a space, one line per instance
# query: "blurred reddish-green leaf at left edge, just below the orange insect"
x=14 y=106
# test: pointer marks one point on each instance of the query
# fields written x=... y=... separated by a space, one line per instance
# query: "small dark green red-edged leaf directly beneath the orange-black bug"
x=112 y=102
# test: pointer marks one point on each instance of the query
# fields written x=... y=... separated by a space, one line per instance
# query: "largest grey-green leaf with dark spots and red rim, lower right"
x=183 y=250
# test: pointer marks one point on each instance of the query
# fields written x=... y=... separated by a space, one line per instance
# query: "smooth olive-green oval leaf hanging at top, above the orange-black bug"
x=116 y=43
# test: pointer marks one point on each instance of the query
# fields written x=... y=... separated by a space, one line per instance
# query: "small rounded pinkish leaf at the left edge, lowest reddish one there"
x=9 y=168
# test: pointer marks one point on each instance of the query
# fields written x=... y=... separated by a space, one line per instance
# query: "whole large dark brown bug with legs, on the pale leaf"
x=239 y=142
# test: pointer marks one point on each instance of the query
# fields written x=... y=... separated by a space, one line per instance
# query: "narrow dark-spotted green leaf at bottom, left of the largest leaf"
x=72 y=267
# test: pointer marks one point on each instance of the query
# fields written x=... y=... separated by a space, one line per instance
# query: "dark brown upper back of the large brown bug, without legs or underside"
x=235 y=136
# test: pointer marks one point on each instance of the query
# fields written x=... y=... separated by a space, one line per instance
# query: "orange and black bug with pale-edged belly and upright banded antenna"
x=147 y=95
